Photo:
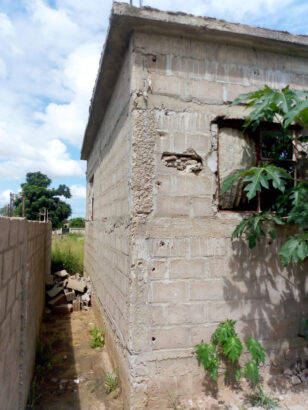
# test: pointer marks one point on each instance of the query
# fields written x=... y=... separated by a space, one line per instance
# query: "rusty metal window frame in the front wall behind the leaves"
x=238 y=125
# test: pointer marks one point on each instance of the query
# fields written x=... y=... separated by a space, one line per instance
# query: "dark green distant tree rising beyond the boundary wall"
x=39 y=197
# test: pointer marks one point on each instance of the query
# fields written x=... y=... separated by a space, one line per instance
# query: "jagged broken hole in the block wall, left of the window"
x=188 y=161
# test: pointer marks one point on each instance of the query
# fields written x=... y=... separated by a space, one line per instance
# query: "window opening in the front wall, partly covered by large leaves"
x=238 y=150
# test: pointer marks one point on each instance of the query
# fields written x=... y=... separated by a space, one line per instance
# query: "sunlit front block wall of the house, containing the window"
x=193 y=274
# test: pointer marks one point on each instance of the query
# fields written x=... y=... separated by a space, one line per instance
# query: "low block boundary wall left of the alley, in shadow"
x=24 y=261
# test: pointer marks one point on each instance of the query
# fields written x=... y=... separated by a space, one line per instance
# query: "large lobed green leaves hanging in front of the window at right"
x=286 y=107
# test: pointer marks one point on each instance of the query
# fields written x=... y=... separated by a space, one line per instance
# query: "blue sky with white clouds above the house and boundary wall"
x=49 y=52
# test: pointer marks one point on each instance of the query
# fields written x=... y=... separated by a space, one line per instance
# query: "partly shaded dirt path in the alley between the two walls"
x=76 y=379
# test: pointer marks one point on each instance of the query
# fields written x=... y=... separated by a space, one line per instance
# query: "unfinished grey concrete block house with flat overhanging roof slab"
x=161 y=137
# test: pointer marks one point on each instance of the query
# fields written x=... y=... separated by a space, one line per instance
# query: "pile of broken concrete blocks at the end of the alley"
x=66 y=293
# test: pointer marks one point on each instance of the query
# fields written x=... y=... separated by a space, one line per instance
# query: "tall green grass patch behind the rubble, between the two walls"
x=67 y=253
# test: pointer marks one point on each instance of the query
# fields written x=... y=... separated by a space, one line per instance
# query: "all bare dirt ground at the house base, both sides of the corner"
x=76 y=379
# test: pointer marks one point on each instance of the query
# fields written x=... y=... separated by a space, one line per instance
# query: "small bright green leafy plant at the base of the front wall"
x=226 y=344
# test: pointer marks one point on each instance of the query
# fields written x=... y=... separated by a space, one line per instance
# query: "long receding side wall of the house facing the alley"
x=107 y=245
